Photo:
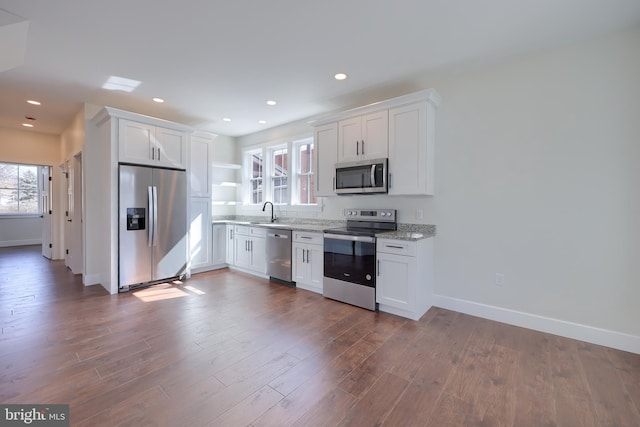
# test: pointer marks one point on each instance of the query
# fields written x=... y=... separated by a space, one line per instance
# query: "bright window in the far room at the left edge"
x=19 y=189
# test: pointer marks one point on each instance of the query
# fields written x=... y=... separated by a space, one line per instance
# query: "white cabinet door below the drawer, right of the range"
x=397 y=280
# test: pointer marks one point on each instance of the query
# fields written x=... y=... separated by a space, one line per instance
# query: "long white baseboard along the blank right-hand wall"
x=617 y=340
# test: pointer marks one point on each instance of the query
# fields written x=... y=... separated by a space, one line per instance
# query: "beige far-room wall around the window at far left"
x=31 y=147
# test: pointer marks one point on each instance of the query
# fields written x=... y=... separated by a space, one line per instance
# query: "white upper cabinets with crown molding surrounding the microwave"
x=401 y=129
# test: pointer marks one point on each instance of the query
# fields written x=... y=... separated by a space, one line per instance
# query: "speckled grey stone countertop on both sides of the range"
x=410 y=232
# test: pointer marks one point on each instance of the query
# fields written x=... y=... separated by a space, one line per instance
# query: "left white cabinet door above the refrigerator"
x=136 y=142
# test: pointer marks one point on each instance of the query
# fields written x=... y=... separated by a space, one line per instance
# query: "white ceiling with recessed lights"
x=211 y=59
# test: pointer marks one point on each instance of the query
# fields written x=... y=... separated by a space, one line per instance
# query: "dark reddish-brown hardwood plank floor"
x=228 y=349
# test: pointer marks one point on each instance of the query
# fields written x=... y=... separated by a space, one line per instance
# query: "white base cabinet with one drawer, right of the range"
x=404 y=283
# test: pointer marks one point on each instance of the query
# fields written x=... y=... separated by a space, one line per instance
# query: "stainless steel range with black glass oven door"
x=350 y=256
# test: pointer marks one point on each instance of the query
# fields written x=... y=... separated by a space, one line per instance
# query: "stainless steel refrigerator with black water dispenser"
x=152 y=225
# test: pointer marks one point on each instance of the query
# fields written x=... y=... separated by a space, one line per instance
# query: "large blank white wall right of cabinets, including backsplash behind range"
x=536 y=178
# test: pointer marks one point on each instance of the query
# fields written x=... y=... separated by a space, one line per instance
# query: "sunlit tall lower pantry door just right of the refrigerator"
x=199 y=233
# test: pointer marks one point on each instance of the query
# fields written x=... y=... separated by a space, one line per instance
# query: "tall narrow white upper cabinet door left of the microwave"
x=326 y=146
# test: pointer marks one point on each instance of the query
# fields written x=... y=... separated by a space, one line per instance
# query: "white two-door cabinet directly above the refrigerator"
x=145 y=144
